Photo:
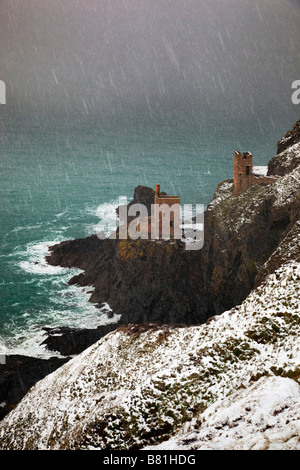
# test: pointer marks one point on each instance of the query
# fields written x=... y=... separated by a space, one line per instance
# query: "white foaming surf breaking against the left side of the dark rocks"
x=55 y=303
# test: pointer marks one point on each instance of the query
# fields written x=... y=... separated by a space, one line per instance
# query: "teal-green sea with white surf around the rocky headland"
x=58 y=181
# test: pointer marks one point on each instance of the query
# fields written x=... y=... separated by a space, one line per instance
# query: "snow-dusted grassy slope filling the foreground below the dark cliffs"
x=143 y=384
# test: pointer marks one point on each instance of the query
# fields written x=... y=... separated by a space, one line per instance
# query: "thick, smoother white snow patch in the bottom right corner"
x=264 y=416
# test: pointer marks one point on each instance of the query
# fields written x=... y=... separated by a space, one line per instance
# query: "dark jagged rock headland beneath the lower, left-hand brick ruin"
x=141 y=280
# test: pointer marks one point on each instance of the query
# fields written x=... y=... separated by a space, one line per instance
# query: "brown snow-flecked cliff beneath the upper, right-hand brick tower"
x=243 y=233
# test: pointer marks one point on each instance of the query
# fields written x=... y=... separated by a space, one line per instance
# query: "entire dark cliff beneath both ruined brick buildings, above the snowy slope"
x=162 y=282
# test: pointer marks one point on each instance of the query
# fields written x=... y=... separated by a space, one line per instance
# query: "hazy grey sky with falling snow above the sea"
x=110 y=57
